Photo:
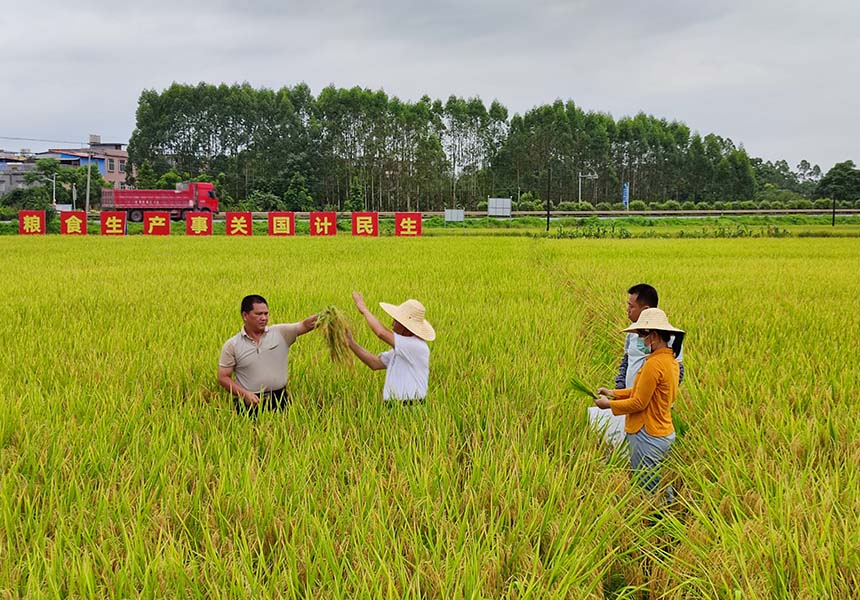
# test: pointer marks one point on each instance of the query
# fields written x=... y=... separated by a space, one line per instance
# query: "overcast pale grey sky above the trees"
x=780 y=77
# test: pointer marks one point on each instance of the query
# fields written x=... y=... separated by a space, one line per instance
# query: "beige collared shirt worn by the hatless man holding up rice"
x=263 y=366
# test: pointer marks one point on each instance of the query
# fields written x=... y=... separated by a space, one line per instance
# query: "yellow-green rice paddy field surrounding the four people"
x=125 y=472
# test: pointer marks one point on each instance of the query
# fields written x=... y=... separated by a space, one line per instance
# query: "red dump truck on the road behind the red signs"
x=186 y=197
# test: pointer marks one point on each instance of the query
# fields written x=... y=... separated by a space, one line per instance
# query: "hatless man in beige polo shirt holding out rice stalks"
x=253 y=363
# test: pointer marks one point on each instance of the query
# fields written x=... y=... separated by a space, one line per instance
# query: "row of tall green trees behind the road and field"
x=347 y=147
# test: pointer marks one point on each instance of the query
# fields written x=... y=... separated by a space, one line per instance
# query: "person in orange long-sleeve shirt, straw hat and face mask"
x=648 y=404
